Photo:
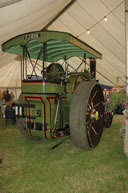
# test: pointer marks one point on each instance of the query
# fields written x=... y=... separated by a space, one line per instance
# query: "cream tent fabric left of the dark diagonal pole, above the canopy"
x=26 y=16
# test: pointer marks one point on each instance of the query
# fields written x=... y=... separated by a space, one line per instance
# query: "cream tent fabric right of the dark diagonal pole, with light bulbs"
x=107 y=37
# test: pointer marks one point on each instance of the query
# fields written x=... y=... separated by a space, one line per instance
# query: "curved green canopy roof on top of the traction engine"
x=50 y=46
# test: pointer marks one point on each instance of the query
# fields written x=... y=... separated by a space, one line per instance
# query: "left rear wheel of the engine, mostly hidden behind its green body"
x=21 y=123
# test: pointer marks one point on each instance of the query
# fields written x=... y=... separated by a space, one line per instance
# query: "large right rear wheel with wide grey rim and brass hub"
x=87 y=115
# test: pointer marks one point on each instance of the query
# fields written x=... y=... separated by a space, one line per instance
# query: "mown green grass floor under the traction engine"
x=32 y=167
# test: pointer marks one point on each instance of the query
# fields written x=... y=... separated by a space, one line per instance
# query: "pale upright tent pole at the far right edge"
x=126 y=71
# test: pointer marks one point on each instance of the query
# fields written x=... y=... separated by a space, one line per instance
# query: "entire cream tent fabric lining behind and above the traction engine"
x=106 y=37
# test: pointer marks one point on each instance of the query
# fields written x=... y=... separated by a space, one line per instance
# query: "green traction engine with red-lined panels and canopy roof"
x=59 y=95
